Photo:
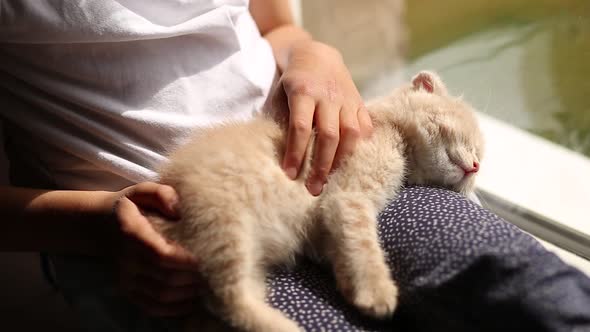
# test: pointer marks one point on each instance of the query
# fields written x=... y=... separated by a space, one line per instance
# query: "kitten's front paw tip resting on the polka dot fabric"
x=377 y=299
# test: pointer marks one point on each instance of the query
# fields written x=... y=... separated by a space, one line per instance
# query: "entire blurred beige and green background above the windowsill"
x=526 y=62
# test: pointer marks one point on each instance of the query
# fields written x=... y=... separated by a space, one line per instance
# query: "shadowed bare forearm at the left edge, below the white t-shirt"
x=54 y=221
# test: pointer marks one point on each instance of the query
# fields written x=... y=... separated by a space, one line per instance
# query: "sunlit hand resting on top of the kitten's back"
x=320 y=93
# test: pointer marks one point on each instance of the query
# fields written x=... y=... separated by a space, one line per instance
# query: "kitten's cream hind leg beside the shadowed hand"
x=236 y=281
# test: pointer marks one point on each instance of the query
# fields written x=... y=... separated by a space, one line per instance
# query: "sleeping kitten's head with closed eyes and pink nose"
x=445 y=145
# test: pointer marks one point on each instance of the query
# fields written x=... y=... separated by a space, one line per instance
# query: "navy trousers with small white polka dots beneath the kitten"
x=459 y=268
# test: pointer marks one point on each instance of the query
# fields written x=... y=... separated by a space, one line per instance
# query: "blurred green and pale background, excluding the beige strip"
x=526 y=62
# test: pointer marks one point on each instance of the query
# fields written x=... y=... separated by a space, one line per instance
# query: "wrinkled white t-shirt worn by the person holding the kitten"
x=95 y=93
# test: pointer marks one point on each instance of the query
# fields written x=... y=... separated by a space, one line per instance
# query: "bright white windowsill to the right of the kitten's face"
x=533 y=174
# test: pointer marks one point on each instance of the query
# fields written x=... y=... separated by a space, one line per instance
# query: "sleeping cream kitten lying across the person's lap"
x=242 y=214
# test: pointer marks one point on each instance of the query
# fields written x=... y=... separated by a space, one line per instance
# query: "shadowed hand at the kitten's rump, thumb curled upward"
x=158 y=276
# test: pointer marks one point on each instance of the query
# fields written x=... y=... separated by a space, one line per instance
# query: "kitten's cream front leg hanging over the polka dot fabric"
x=357 y=258
